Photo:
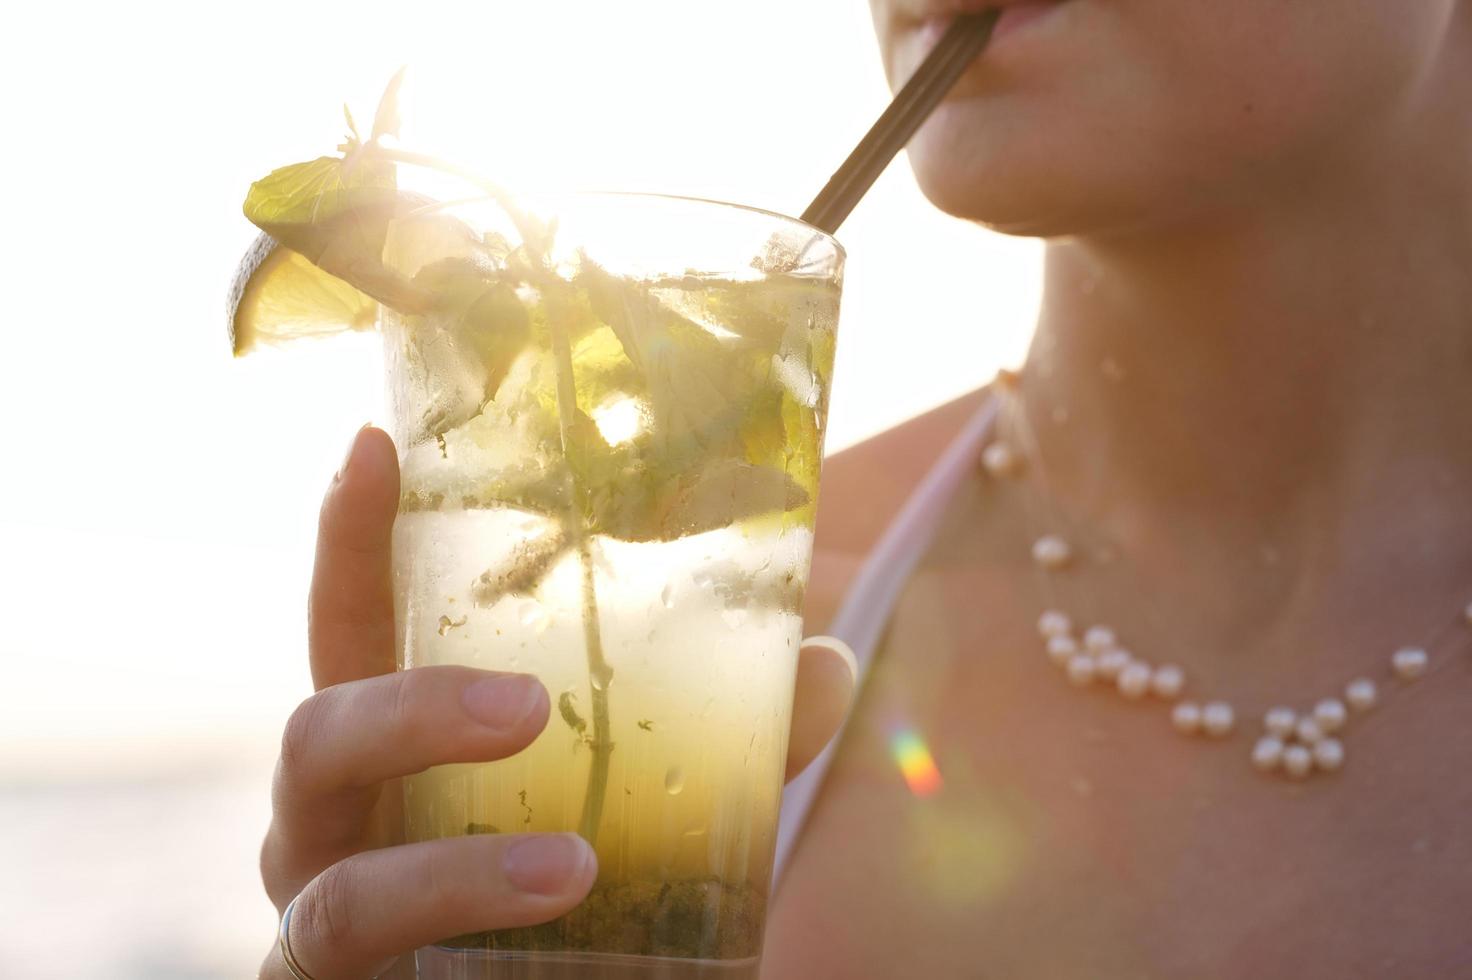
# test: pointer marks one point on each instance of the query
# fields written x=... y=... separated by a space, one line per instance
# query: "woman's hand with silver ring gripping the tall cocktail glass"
x=363 y=897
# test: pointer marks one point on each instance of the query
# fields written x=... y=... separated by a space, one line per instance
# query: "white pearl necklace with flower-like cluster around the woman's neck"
x=1293 y=744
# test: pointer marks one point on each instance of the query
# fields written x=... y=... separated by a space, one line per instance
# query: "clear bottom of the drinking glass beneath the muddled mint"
x=441 y=963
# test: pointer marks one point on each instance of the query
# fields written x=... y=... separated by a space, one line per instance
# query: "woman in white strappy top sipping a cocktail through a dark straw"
x=1242 y=426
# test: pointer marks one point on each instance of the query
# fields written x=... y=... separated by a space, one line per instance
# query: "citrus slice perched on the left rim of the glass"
x=280 y=297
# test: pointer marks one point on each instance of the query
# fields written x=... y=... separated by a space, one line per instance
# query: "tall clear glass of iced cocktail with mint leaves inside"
x=610 y=458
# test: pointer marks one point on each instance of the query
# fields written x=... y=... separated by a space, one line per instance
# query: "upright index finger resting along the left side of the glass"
x=351 y=606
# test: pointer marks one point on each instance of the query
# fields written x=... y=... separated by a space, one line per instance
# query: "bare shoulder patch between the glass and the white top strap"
x=863 y=489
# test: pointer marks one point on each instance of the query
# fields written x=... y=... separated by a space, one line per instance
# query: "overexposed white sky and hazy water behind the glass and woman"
x=158 y=500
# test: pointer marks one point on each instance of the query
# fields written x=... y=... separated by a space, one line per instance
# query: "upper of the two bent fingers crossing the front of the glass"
x=345 y=741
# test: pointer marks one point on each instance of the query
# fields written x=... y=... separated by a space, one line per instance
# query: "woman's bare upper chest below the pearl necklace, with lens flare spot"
x=986 y=819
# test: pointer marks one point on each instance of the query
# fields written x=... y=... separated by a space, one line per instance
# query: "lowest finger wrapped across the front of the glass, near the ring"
x=355 y=917
